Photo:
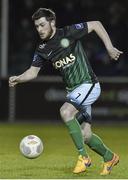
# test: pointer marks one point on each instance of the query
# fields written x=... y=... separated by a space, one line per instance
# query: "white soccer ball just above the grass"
x=31 y=146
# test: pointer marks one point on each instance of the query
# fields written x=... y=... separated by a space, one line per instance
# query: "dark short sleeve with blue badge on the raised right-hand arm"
x=77 y=31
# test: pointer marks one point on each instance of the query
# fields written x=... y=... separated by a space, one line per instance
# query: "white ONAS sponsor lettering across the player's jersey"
x=65 y=62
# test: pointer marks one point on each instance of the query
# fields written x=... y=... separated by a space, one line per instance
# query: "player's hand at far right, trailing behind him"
x=114 y=53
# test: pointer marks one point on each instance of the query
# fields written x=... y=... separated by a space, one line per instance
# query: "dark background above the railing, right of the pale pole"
x=112 y=14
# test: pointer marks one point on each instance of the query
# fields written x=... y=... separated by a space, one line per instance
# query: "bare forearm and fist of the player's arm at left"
x=28 y=75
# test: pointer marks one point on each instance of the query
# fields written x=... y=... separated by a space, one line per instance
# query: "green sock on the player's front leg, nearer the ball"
x=75 y=132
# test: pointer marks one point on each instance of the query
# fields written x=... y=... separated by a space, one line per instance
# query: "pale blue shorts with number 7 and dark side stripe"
x=84 y=95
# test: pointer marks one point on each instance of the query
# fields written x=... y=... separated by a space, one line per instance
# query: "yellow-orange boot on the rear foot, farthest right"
x=107 y=166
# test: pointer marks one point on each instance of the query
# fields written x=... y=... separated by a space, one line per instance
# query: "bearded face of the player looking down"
x=44 y=28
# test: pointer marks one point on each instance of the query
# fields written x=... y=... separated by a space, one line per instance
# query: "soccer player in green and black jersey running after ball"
x=63 y=48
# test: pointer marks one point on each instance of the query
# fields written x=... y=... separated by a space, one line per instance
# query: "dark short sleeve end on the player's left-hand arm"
x=37 y=60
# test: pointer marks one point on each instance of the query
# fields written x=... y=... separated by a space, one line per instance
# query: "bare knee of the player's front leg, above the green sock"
x=68 y=111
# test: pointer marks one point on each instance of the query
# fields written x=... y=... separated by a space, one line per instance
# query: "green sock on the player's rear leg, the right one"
x=97 y=145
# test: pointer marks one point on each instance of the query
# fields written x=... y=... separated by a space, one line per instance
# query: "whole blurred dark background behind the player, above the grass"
x=41 y=99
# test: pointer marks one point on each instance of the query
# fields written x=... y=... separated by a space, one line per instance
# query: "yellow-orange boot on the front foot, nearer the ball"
x=82 y=164
